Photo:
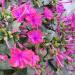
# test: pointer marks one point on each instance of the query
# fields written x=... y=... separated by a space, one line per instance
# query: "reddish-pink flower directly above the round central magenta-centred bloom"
x=35 y=20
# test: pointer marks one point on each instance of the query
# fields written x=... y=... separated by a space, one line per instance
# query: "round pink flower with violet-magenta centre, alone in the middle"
x=35 y=36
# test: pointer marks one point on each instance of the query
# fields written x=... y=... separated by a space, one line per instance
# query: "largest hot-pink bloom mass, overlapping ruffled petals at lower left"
x=22 y=59
